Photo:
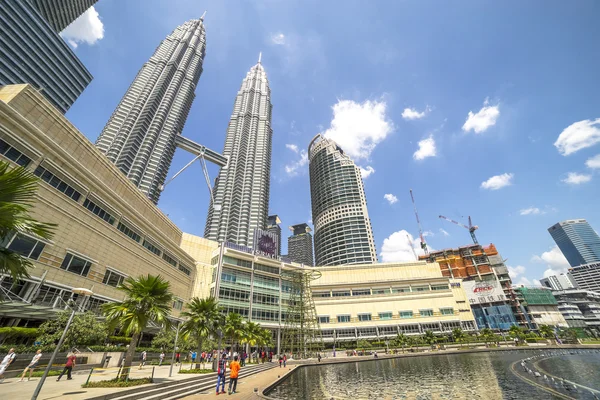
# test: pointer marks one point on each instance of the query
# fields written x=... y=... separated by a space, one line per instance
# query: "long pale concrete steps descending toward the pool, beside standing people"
x=180 y=388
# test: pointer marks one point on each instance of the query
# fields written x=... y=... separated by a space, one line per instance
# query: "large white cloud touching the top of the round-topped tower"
x=359 y=127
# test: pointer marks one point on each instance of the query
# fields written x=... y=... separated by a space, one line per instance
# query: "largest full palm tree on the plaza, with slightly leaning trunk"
x=147 y=299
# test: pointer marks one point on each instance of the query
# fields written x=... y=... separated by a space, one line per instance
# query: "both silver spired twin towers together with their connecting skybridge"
x=144 y=131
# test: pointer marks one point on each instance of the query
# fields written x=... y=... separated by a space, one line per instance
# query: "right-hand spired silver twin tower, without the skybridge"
x=241 y=192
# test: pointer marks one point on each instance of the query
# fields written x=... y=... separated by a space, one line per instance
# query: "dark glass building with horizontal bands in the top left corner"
x=31 y=51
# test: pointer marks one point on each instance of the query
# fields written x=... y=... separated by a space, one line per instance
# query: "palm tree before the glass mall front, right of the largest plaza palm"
x=203 y=319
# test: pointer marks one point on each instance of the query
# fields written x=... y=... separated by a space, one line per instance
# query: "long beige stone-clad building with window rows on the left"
x=107 y=229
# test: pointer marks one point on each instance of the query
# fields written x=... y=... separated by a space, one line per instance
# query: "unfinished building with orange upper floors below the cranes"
x=482 y=264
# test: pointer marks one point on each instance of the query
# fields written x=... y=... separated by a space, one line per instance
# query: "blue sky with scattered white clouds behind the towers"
x=483 y=108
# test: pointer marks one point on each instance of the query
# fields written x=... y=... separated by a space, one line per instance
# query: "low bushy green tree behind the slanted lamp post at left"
x=86 y=330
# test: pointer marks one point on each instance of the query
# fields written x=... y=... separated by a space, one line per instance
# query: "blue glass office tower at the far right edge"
x=577 y=240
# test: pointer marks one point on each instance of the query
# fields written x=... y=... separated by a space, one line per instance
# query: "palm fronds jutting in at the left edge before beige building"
x=18 y=187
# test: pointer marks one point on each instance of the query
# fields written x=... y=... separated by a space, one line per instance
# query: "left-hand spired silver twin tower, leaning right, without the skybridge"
x=143 y=132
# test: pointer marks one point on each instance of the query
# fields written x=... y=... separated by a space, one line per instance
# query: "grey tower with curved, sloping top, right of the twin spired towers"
x=343 y=233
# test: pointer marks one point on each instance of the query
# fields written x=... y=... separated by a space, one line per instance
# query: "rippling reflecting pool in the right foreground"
x=517 y=374
